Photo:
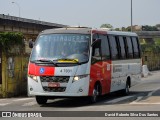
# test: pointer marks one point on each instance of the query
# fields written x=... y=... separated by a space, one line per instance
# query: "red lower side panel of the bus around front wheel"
x=100 y=72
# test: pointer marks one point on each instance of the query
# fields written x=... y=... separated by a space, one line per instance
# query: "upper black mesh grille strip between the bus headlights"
x=60 y=79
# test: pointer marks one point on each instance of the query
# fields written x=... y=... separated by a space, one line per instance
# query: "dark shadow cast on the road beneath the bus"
x=84 y=101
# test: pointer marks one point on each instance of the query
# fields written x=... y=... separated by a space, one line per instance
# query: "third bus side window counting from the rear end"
x=122 y=48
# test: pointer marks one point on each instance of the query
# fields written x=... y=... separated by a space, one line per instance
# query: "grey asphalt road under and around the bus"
x=145 y=96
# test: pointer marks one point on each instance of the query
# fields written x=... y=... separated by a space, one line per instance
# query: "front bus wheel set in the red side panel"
x=95 y=94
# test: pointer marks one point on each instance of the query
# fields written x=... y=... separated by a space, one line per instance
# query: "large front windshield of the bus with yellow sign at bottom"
x=61 y=47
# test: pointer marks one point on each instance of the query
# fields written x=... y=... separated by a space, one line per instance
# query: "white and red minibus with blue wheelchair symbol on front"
x=81 y=61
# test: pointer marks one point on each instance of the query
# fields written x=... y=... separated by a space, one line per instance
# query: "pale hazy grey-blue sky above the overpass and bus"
x=90 y=13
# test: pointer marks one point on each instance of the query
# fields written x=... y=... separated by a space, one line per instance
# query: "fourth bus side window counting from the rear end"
x=114 y=47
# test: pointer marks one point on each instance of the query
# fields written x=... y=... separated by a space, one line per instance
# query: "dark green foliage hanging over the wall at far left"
x=9 y=40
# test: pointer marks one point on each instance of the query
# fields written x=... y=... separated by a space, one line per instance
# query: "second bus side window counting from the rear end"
x=129 y=48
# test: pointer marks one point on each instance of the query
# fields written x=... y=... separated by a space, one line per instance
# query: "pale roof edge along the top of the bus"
x=86 y=30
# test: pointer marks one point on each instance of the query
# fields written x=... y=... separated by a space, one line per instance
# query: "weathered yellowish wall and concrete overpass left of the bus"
x=13 y=65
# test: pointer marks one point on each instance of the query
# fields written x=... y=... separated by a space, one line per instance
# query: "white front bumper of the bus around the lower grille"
x=73 y=89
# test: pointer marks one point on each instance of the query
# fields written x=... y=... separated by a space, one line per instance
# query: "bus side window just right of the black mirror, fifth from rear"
x=105 y=47
